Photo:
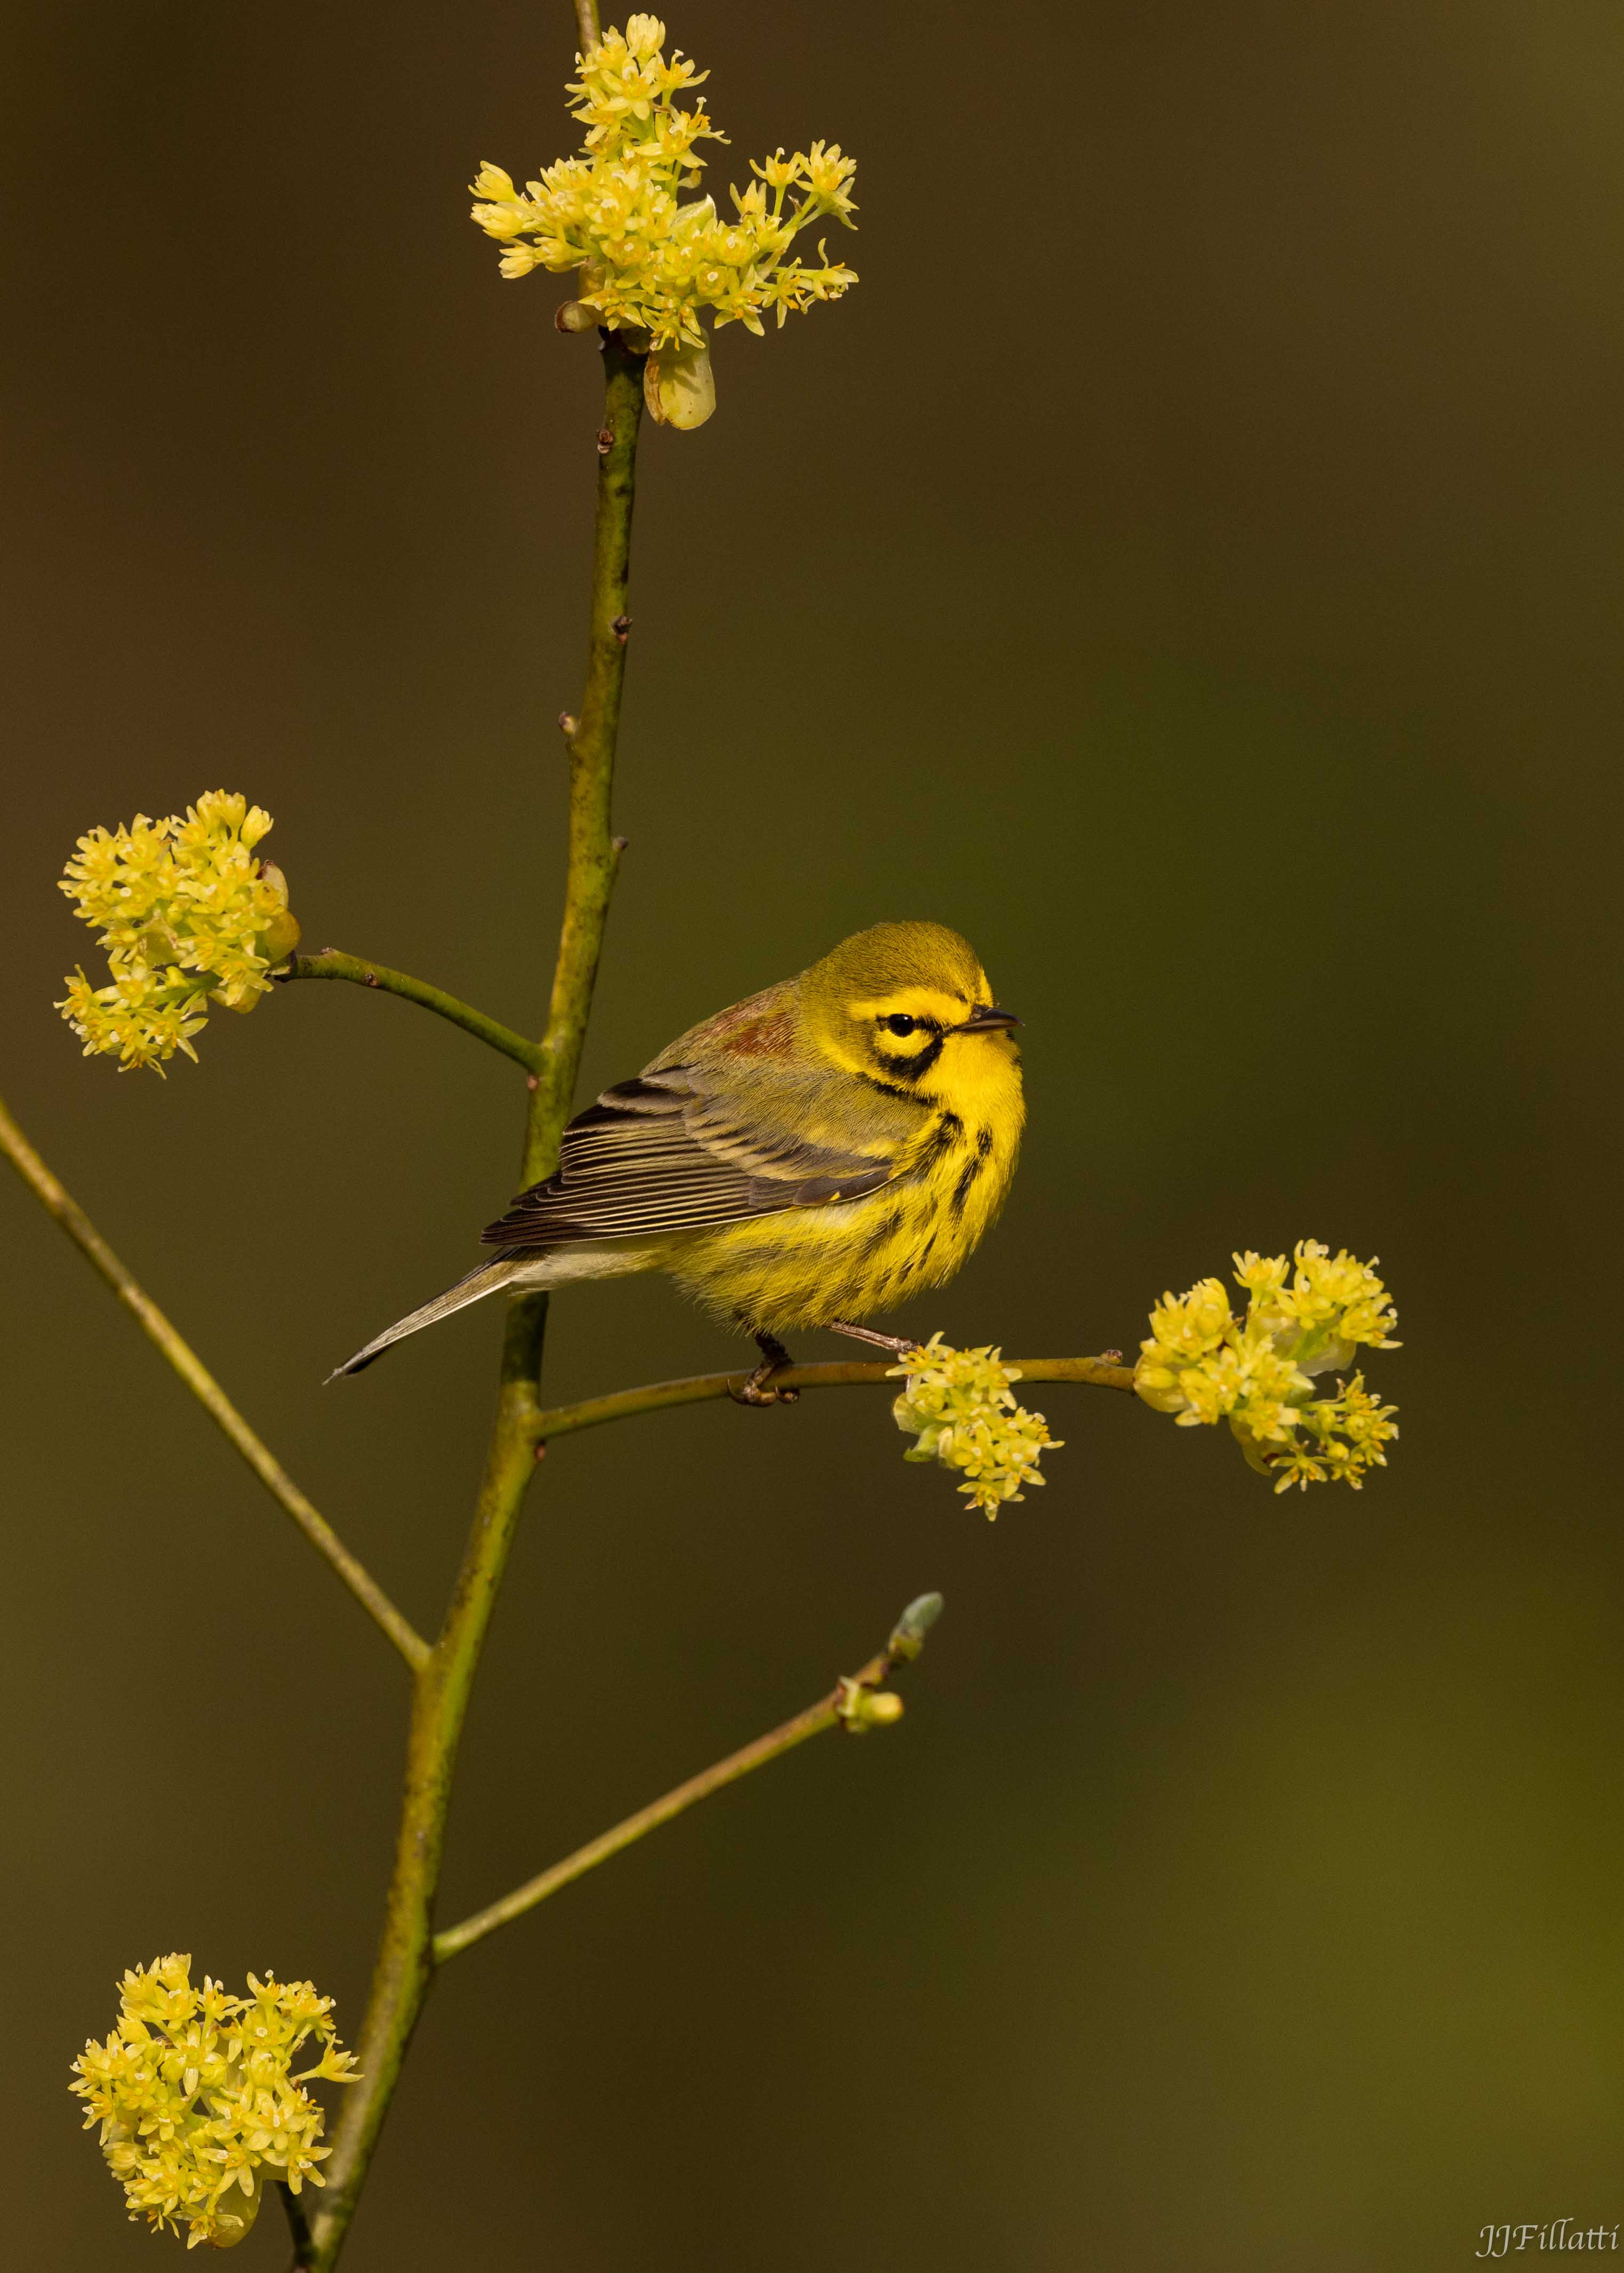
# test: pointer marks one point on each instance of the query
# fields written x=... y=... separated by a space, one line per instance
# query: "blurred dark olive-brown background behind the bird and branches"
x=1188 y=565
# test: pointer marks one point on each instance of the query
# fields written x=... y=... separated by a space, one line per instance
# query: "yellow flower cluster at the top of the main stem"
x=652 y=263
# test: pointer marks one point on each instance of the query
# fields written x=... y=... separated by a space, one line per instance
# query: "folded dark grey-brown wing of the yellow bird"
x=674 y=1154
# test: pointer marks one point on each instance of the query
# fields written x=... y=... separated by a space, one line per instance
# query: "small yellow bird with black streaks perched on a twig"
x=806 y=1158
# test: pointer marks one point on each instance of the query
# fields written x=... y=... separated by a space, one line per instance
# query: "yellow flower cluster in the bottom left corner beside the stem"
x=199 y=2104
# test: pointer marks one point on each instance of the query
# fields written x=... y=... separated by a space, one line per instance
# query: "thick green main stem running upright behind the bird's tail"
x=406 y=1958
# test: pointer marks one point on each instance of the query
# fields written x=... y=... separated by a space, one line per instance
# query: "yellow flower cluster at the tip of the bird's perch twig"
x=1307 y=1315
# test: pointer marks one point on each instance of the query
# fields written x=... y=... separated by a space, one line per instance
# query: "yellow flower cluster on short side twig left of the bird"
x=188 y=915
